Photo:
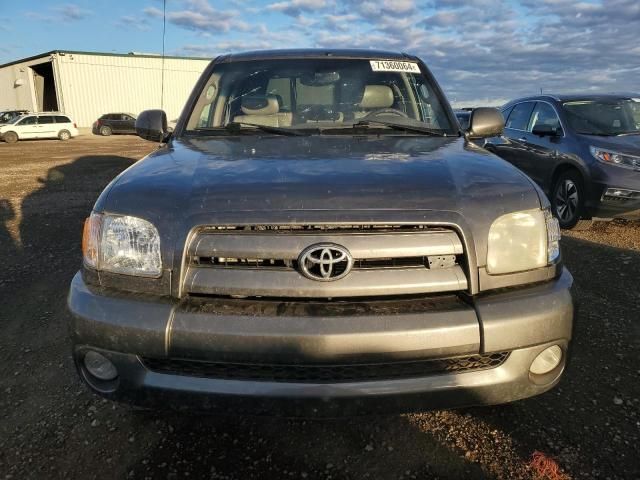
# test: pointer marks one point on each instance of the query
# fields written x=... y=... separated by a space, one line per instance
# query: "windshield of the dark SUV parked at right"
x=603 y=117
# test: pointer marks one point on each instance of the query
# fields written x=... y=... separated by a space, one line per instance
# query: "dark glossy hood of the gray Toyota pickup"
x=276 y=179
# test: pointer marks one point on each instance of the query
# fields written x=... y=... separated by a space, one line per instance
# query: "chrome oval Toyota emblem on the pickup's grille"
x=325 y=262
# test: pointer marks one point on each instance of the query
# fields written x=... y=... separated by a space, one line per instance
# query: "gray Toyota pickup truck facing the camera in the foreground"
x=318 y=237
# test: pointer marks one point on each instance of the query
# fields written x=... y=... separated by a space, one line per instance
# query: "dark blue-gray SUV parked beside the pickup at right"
x=583 y=150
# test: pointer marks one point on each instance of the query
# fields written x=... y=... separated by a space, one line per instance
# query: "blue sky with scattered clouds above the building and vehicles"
x=481 y=51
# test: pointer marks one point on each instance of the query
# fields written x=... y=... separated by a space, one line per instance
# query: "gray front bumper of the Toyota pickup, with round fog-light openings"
x=127 y=328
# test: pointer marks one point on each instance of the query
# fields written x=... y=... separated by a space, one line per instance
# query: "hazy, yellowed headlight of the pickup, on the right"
x=521 y=241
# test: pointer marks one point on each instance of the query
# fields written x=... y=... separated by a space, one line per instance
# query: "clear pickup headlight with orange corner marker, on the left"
x=122 y=244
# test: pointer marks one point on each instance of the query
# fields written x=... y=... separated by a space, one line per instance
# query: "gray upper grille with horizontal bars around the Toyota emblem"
x=262 y=261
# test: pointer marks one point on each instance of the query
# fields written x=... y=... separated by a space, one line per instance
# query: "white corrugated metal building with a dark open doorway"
x=86 y=85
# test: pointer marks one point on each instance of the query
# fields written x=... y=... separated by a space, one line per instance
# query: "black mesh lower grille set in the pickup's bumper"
x=325 y=373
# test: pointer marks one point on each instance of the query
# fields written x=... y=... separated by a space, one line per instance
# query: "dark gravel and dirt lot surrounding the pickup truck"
x=51 y=426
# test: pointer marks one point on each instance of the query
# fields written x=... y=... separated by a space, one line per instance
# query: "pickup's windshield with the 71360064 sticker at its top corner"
x=316 y=94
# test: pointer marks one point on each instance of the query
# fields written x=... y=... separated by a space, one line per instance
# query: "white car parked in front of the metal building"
x=39 y=125
